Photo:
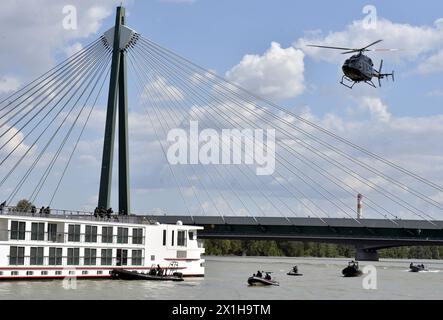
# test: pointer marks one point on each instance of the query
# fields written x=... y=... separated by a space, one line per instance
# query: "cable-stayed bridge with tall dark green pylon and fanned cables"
x=236 y=163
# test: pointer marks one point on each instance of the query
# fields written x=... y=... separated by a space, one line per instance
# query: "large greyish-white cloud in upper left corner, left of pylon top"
x=33 y=32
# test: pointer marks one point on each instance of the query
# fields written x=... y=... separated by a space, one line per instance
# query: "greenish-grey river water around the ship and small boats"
x=226 y=280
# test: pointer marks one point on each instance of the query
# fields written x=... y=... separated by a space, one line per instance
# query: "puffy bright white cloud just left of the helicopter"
x=277 y=74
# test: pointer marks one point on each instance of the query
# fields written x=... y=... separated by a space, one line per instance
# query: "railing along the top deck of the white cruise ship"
x=78 y=215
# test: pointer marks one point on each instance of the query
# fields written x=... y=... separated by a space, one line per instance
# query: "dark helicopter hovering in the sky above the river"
x=359 y=67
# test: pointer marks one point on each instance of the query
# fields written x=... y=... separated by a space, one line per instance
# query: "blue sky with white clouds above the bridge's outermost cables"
x=402 y=121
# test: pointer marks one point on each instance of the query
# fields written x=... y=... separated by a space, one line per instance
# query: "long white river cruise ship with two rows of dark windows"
x=64 y=244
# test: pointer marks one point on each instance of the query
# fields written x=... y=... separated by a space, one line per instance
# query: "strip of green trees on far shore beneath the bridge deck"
x=317 y=250
